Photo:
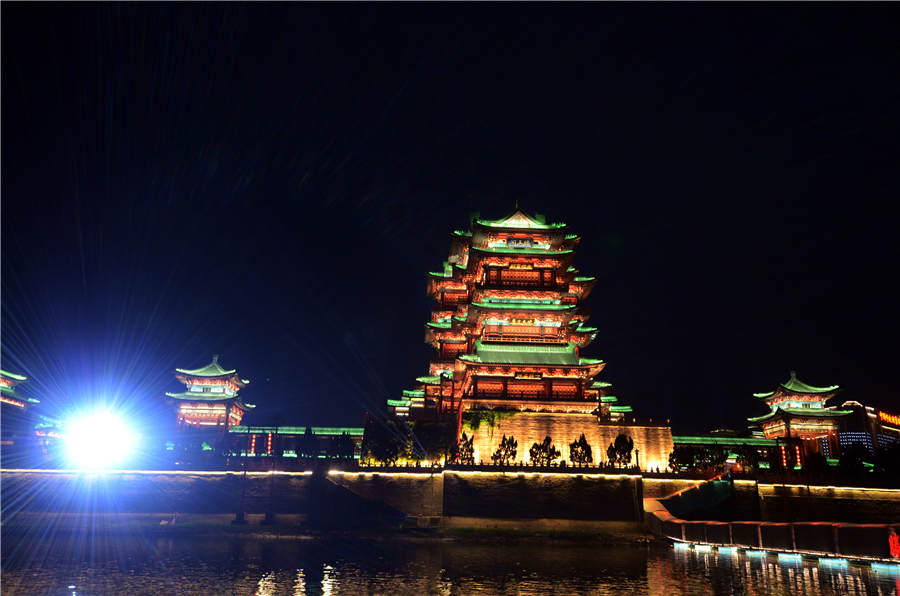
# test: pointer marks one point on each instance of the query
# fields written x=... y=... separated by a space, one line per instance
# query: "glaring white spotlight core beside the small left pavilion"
x=98 y=440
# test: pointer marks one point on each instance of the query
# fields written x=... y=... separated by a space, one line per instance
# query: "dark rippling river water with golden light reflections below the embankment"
x=227 y=565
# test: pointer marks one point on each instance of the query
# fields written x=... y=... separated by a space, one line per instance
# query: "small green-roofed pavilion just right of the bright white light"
x=211 y=398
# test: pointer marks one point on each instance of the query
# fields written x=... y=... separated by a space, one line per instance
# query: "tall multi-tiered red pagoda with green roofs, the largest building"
x=508 y=328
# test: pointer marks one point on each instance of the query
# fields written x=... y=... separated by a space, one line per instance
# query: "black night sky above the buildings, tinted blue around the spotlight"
x=271 y=182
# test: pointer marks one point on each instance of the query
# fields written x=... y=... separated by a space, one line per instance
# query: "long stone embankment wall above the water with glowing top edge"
x=523 y=500
